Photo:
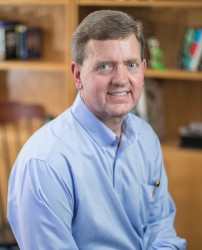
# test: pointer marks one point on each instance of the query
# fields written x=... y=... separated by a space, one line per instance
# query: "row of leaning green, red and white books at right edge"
x=191 y=51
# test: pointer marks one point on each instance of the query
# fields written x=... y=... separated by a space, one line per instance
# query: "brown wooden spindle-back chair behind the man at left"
x=17 y=123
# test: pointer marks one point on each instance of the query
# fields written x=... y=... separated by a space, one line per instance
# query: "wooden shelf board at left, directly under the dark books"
x=34 y=65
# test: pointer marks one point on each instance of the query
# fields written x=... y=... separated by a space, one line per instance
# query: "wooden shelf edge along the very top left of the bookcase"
x=33 y=2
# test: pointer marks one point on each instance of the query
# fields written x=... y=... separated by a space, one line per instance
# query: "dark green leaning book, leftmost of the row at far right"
x=187 y=40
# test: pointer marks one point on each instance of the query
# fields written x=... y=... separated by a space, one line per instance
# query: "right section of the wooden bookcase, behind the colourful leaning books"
x=169 y=28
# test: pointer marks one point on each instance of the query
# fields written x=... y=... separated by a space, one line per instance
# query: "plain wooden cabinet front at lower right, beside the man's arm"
x=184 y=170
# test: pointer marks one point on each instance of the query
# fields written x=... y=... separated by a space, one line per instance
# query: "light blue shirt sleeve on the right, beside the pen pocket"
x=160 y=232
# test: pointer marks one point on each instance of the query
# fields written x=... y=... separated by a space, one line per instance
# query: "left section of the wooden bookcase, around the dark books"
x=46 y=81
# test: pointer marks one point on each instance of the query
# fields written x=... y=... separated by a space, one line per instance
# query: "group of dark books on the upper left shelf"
x=17 y=41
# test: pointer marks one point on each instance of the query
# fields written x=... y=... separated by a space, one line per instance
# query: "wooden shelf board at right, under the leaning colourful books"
x=176 y=74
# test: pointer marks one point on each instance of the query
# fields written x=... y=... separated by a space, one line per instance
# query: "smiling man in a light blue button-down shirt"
x=93 y=178
